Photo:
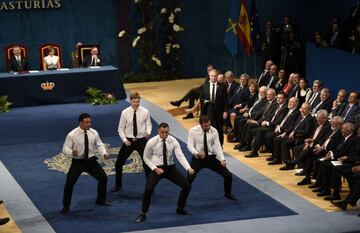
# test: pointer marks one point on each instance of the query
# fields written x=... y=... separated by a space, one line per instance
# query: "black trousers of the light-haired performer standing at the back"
x=125 y=152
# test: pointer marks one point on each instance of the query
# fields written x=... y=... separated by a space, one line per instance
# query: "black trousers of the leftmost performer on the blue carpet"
x=94 y=169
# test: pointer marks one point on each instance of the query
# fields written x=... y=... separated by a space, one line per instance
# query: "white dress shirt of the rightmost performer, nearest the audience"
x=196 y=142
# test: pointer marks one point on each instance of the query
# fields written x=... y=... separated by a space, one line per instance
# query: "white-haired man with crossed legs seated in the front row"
x=321 y=132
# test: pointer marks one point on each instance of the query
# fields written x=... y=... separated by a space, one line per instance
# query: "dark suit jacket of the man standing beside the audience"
x=220 y=104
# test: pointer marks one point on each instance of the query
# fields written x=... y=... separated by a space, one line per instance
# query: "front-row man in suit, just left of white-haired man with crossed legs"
x=302 y=129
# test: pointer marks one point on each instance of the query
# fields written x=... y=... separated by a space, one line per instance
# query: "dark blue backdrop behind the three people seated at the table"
x=89 y=21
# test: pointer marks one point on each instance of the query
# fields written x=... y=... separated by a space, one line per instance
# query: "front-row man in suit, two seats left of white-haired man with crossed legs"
x=285 y=126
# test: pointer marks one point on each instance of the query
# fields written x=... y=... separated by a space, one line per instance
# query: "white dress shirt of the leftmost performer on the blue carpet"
x=75 y=140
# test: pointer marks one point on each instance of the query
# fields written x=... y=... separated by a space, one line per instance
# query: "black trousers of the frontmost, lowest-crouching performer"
x=172 y=174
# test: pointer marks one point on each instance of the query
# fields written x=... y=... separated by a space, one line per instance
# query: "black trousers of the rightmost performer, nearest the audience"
x=213 y=164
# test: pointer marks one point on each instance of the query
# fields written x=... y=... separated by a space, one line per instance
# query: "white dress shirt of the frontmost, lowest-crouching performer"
x=153 y=153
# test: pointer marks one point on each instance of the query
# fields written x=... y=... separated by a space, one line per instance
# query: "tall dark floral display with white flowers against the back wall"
x=157 y=40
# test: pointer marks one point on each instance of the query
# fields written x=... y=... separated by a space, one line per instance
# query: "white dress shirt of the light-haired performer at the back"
x=143 y=121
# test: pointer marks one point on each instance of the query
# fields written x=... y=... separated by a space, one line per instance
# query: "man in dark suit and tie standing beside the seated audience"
x=214 y=103
